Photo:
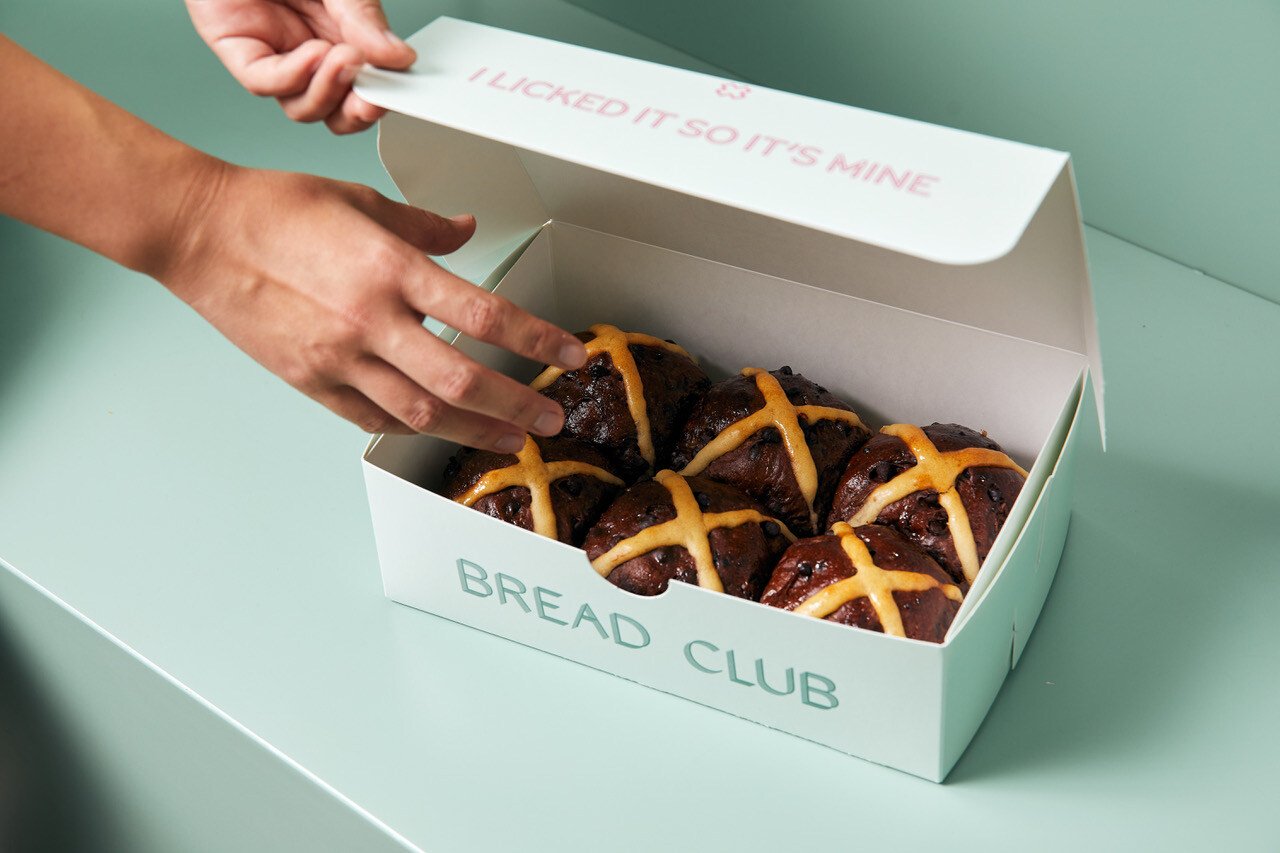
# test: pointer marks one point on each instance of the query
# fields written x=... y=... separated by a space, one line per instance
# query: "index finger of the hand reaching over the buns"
x=487 y=317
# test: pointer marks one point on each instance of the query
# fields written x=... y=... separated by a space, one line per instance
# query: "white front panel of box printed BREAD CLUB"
x=806 y=677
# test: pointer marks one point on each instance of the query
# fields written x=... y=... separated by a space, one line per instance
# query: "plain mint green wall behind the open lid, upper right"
x=1171 y=110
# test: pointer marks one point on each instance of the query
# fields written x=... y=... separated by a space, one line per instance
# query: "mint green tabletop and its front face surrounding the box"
x=195 y=653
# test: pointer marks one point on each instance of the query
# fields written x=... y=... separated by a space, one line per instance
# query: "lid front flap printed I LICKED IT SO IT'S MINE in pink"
x=936 y=193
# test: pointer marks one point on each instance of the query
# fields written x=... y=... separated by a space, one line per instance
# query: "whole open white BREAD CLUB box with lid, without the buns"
x=918 y=272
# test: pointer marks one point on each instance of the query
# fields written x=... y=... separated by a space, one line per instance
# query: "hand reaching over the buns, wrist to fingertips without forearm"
x=327 y=285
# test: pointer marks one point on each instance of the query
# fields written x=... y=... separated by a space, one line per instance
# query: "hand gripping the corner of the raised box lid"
x=304 y=53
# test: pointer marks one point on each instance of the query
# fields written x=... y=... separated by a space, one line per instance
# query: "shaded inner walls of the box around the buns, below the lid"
x=892 y=364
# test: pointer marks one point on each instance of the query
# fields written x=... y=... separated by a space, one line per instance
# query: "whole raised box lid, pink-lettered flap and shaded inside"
x=522 y=131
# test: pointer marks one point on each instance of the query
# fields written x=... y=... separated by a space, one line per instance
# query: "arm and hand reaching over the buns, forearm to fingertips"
x=326 y=284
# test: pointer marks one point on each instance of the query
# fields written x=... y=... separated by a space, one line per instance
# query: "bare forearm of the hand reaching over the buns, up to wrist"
x=80 y=167
